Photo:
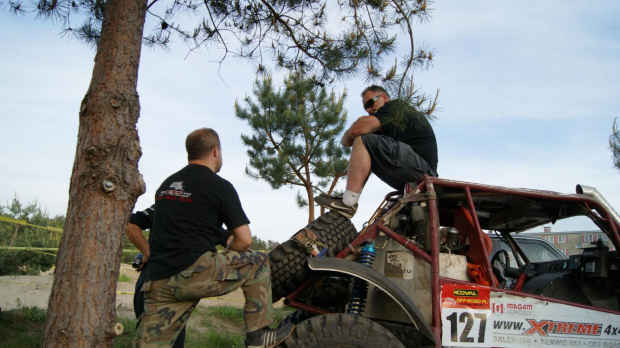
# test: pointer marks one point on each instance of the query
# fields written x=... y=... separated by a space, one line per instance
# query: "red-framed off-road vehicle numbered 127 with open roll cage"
x=421 y=273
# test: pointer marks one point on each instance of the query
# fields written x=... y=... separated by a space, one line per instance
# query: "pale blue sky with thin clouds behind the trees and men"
x=528 y=96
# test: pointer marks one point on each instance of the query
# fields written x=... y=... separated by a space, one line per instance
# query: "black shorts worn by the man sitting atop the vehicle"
x=395 y=162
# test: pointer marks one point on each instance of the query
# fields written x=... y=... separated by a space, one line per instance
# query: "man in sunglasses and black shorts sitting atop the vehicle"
x=395 y=141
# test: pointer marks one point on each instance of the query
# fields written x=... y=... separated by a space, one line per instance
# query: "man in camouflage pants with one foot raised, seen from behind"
x=184 y=266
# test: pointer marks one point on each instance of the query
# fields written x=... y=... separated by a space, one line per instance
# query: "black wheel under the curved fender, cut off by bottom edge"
x=340 y=331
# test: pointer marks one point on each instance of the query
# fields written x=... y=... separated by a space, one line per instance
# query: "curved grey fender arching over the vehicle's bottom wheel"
x=380 y=281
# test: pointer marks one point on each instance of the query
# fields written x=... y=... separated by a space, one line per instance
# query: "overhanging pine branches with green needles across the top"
x=324 y=39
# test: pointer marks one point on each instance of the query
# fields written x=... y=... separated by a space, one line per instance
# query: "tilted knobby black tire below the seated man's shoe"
x=288 y=260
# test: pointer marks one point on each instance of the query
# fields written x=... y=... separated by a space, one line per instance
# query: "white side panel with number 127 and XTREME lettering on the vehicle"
x=512 y=321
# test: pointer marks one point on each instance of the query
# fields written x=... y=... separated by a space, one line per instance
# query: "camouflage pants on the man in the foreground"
x=170 y=302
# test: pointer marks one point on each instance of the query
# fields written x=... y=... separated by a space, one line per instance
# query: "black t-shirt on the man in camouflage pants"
x=190 y=207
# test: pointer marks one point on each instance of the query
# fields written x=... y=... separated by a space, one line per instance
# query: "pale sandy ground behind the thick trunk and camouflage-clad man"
x=35 y=291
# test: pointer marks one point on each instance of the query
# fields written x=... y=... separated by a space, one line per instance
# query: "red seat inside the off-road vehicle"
x=468 y=234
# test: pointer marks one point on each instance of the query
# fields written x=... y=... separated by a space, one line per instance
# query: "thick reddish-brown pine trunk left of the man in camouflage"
x=105 y=184
